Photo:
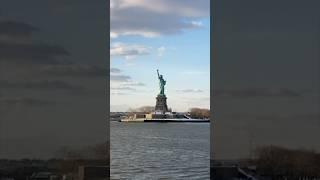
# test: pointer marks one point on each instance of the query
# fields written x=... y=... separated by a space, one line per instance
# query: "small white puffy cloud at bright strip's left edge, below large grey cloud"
x=128 y=51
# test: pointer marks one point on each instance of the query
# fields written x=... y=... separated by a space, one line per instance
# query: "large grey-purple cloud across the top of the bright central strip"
x=152 y=18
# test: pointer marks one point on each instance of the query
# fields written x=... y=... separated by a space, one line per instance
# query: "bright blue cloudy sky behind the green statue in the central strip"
x=172 y=36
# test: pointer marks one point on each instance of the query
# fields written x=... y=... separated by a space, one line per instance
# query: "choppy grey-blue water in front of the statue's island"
x=160 y=150
